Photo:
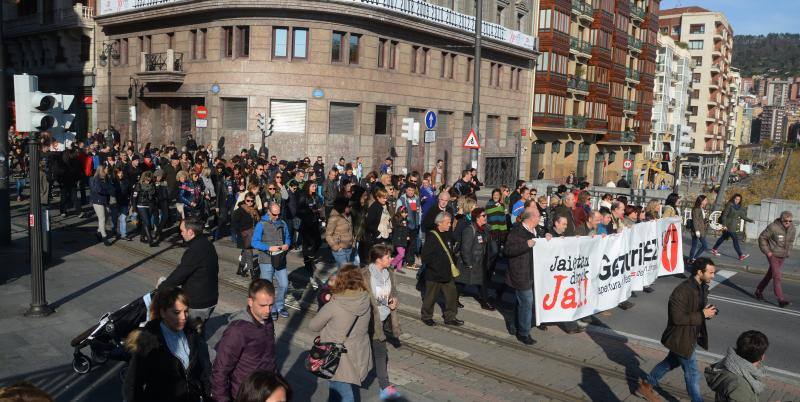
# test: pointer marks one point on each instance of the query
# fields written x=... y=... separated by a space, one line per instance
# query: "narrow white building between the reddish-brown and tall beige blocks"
x=671 y=134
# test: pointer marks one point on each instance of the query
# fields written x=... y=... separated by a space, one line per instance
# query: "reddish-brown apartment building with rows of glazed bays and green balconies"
x=593 y=88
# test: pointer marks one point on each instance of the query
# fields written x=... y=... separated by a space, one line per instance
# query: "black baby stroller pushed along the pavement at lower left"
x=106 y=338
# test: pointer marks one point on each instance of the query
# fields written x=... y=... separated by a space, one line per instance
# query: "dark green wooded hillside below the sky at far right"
x=774 y=55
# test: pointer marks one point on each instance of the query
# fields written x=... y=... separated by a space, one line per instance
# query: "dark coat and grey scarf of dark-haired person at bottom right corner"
x=734 y=379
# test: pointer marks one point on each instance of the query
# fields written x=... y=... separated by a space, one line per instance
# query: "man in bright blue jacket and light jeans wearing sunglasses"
x=271 y=239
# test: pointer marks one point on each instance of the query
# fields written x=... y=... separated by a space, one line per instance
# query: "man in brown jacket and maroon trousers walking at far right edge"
x=775 y=242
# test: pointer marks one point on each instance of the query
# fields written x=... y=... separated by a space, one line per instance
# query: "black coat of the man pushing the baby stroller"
x=197 y=274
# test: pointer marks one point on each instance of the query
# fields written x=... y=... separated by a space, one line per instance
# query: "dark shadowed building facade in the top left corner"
x=52 y=39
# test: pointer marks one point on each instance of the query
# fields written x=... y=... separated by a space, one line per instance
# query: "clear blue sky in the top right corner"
x=751 y=17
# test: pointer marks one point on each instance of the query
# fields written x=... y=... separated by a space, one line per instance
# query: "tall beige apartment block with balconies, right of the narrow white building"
x=708 y=36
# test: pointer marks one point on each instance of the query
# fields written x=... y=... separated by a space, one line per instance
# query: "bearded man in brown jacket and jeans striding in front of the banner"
x=686 y=328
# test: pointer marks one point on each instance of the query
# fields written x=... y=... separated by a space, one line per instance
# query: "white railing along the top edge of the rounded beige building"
x=420 y=9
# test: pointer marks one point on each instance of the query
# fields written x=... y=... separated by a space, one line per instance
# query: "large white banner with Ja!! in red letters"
x=579 y=276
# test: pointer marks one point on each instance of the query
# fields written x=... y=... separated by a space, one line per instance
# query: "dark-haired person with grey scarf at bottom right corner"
x=740 y=375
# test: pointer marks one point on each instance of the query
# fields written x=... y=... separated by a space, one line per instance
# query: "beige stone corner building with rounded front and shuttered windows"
x=337 y=76
